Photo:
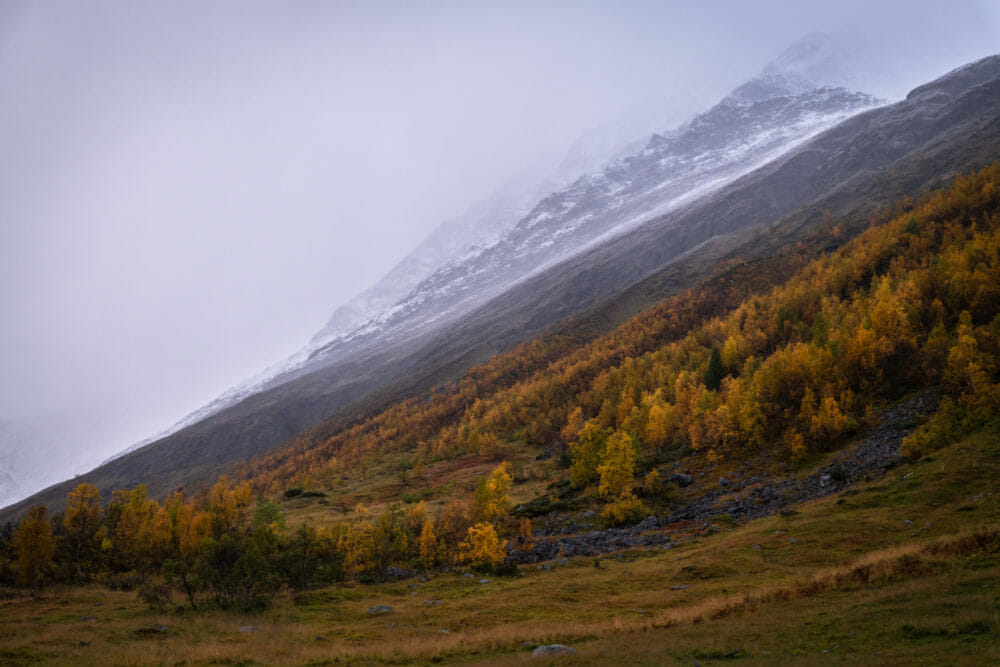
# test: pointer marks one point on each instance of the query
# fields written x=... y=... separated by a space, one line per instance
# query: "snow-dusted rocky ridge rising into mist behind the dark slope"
x=793 y=99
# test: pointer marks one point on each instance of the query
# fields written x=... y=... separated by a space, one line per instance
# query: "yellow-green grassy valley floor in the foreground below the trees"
x=902 y=570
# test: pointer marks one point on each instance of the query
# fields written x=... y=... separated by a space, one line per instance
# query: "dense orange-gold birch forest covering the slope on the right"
x=797 y=366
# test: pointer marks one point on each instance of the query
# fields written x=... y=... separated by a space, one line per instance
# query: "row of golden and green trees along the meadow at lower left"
x=232 y=549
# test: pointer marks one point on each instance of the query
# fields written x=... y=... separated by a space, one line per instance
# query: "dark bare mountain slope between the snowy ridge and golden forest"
x=951 y=124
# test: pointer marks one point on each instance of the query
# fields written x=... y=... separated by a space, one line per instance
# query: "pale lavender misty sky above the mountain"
x=188 y=189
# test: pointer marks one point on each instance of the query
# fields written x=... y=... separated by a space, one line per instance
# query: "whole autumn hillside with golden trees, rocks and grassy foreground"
x=816 y=463
